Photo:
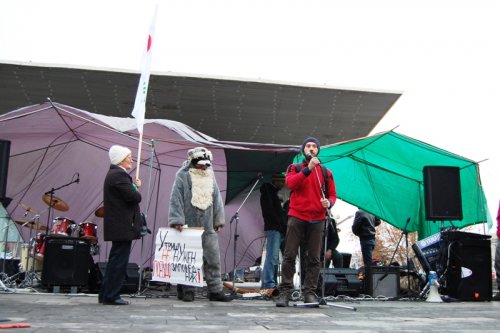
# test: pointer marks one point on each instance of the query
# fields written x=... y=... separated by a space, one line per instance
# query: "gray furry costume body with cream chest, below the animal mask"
x=196 y=201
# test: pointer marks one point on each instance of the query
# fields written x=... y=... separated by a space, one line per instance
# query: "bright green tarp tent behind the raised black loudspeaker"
x=383 y=174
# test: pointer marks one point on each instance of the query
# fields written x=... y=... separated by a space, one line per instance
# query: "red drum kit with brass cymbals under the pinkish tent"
x=32 y=253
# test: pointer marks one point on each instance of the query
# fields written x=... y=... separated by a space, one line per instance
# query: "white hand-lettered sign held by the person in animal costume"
x=178 y=257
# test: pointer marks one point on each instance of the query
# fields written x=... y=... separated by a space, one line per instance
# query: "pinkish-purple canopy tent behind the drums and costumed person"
x=52 y=144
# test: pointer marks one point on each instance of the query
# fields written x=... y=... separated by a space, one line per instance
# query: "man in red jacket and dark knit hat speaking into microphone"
x=312 y=193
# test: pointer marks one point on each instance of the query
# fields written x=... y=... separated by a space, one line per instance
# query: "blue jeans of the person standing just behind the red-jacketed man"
x=275 y=243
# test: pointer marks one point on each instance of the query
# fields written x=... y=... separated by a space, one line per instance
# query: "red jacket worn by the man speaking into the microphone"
x=306 y=192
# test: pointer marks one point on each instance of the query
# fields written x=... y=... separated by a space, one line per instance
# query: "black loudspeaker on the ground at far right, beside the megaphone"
x=468 y=273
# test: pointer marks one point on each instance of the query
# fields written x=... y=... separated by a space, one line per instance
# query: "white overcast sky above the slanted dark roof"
x=442 y=55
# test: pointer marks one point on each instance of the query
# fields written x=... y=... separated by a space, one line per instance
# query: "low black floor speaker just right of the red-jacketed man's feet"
x=340 y=281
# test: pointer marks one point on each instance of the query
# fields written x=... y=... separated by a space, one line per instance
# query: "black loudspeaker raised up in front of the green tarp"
x=442 y=192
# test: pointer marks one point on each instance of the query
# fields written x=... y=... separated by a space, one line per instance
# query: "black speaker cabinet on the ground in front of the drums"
x=66 y=262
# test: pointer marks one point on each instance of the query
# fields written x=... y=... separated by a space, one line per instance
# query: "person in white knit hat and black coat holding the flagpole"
x=122 y=222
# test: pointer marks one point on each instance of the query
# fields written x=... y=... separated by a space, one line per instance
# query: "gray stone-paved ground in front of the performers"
x=162 y=312
